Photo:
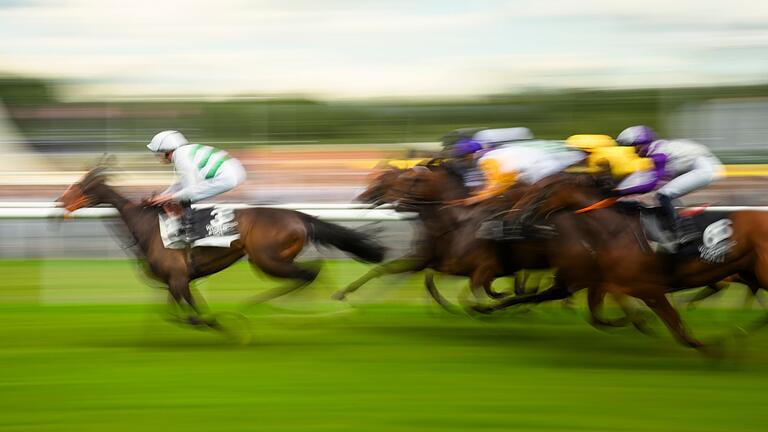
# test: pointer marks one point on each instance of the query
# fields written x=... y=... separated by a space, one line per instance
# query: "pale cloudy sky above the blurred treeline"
x=388 y=48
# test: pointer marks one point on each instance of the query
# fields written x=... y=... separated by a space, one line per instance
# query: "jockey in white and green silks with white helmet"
x=203 y=171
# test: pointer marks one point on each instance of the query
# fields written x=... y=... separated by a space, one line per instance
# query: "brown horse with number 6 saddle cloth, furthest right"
x=628 y=268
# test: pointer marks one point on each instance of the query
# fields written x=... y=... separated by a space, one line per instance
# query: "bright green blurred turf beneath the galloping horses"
x=84 y=346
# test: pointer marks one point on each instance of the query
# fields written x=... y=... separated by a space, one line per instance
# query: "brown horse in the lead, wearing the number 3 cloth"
x=271 y=239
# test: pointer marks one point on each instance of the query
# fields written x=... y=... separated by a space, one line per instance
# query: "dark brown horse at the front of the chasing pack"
x=448 y=241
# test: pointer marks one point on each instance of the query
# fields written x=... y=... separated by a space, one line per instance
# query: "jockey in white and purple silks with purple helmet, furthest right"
x=687 y=165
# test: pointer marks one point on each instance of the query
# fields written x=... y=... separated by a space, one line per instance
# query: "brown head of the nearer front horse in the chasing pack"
x=424 y=185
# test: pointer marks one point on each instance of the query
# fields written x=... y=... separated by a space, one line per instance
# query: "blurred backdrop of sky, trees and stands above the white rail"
x=311 y=95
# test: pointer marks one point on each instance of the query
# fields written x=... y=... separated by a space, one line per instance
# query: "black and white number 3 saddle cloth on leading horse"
x=210 y=226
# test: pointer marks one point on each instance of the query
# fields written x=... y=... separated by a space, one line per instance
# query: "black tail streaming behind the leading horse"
x=359 y=244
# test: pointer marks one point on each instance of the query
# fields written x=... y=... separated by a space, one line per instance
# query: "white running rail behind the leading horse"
x=335 y=212
